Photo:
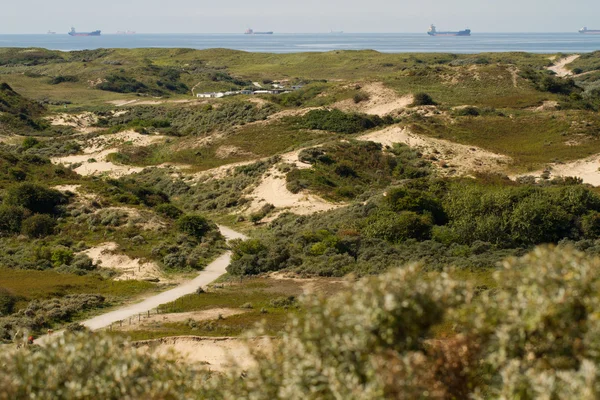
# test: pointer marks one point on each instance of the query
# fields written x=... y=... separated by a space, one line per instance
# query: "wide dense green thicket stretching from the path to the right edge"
x=466 y=223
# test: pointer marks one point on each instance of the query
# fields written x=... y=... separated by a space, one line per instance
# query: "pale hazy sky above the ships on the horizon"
x=200 y=16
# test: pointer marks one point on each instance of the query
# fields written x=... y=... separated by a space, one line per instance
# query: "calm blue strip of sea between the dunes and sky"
x=291 y=43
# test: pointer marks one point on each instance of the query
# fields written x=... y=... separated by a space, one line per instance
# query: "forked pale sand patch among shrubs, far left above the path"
x=94 y=161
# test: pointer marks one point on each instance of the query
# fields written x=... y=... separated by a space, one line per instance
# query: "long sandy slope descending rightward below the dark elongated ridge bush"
x=452 y=158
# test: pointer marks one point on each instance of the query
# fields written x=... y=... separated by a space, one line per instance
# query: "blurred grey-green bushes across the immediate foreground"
x=536 y=334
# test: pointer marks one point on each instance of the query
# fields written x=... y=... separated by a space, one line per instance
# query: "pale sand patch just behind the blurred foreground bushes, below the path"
x=214 y=353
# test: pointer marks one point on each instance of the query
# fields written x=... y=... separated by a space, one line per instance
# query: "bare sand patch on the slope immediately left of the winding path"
x=106 y=256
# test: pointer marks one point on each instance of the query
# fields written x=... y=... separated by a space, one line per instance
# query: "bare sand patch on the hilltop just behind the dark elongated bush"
x=382 y=101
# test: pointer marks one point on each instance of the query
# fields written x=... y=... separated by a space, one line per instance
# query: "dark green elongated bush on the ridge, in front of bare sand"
x=341 y=122
